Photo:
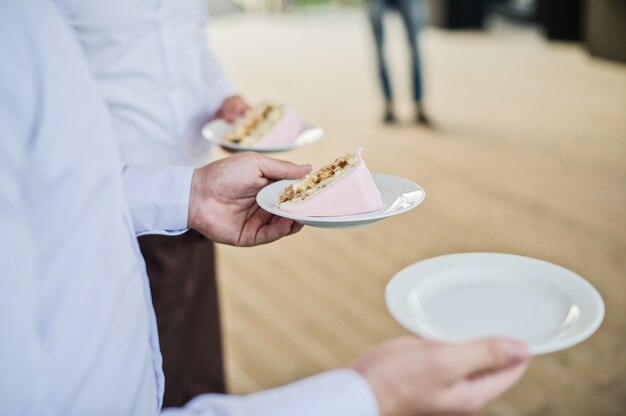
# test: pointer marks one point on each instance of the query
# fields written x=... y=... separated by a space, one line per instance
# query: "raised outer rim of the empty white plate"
x=544 y=348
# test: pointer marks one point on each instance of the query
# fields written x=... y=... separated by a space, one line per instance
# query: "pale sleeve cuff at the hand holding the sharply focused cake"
x=158 y=198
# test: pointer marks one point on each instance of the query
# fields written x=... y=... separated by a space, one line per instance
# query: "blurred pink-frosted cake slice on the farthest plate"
x=267 y=124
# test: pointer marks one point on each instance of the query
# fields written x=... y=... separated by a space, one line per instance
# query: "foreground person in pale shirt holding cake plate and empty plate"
x=77 y=325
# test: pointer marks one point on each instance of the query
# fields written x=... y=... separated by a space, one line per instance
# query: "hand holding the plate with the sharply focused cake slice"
x=223 y=205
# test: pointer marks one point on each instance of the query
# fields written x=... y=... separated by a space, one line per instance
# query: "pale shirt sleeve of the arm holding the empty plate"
x=335 y=393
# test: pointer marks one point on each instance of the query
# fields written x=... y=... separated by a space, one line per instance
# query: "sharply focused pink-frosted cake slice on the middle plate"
x=344 y=187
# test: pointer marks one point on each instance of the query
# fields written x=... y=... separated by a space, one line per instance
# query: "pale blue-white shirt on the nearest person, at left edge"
x=77 y=328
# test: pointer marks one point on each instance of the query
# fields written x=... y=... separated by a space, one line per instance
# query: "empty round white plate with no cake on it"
x=461 y=297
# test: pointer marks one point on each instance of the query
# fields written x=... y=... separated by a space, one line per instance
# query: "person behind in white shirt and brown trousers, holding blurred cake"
x=162 y=83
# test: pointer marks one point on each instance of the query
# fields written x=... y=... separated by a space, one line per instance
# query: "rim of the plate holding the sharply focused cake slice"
x=374 y=216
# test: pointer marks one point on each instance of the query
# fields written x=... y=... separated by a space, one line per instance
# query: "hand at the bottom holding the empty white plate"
x=413 y=377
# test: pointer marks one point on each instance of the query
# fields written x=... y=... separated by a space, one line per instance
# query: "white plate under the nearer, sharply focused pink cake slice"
x=391 y=189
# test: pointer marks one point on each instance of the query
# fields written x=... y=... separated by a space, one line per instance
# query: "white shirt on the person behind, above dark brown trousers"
x=155 y=72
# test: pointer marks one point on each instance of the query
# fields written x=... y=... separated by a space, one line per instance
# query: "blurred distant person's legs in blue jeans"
x=413 y=13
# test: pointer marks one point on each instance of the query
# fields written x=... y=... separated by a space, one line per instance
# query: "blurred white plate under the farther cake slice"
x=215 y=131
